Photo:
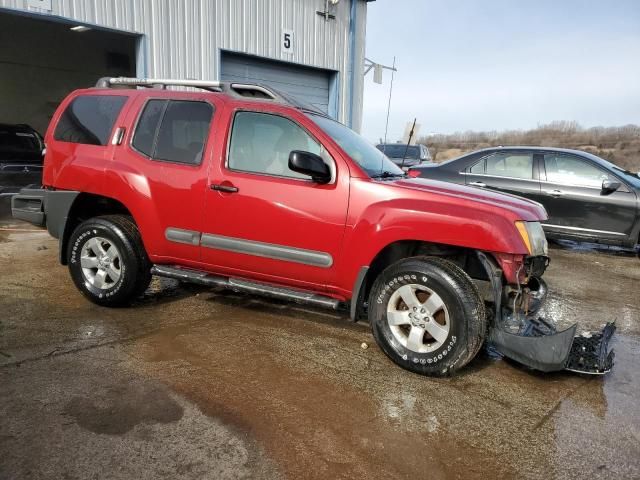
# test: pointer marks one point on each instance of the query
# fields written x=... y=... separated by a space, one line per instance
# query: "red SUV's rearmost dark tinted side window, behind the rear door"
x=89 y=119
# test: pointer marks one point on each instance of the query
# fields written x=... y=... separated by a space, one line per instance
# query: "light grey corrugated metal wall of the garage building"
x=183 y=38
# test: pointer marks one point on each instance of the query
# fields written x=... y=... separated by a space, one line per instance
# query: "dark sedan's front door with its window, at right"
x=576 y=203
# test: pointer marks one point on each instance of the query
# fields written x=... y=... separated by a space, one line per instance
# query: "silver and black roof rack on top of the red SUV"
x=254 y=91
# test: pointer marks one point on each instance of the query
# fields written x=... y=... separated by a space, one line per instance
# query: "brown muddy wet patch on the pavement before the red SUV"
x=311 y=425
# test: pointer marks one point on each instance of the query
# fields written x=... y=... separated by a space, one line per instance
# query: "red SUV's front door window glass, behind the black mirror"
x=261 y=143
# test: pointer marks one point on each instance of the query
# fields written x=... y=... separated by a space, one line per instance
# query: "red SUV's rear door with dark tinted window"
x=161 y=170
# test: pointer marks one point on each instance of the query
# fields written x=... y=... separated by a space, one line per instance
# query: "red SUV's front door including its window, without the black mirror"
x=263 y=219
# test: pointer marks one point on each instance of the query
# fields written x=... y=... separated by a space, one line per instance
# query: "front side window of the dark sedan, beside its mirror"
x=570 y=170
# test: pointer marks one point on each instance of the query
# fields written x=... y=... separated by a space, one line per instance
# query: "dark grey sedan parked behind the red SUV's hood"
x=586 y=197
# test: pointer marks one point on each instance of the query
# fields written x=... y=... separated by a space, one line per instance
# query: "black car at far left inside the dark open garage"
x=21 y=149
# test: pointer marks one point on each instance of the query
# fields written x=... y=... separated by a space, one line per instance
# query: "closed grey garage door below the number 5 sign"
x=310 y=85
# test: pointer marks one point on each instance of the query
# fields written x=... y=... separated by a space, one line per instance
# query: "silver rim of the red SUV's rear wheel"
x=101 y=263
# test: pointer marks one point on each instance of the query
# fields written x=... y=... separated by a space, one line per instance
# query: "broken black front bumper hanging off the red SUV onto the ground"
x=517 y=334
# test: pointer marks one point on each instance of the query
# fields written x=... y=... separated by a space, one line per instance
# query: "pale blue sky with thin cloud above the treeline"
x=499 y=64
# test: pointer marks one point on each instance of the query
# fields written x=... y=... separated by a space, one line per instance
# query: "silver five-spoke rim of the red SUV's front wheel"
x=418 y=318
